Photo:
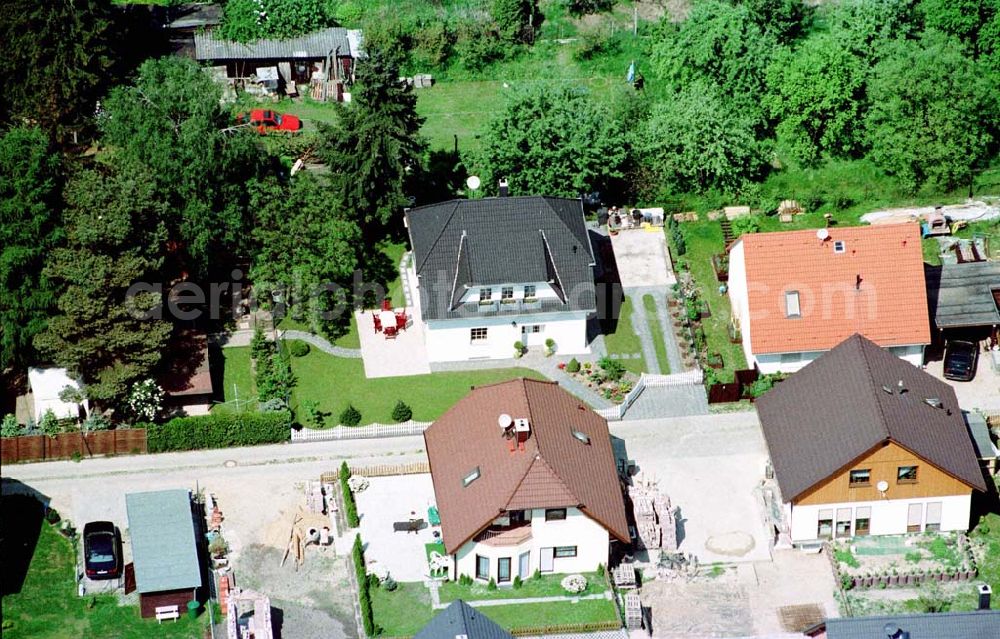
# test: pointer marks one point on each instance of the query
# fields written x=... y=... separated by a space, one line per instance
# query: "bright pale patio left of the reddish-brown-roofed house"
x=388 y=501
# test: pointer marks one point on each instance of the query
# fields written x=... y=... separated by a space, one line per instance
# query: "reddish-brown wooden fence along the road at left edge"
x=65 y=445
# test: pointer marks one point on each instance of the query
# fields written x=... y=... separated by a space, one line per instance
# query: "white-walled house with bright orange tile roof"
x=797 y=294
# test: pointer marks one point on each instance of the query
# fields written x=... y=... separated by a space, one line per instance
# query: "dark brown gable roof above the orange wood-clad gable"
x=835 y=410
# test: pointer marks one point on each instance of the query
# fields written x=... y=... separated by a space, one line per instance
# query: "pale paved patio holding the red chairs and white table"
x=396 y=356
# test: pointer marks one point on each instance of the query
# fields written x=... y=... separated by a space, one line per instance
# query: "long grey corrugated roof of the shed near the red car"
x=318 y=44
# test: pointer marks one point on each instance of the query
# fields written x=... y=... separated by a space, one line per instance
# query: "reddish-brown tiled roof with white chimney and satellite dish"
x=554 y=470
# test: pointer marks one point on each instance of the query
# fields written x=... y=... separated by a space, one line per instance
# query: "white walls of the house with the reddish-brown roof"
x=590 y=538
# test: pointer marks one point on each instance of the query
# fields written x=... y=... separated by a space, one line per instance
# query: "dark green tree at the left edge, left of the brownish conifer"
x=30 y=226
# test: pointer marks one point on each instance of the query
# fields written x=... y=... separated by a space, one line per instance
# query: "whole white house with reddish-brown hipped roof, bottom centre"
x=525 y=479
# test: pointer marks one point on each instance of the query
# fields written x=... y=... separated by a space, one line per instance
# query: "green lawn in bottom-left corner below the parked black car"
x=48 y=607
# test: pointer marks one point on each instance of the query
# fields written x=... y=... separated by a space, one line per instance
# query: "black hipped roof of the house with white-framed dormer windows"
x=506 y=240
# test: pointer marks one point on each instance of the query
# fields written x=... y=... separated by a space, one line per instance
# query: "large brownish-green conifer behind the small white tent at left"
x=115 y=238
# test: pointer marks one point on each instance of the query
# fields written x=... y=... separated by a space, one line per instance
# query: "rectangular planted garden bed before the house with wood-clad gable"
x=880 y=562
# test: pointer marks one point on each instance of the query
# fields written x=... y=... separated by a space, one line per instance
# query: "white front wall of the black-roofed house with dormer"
x=449 y=340
